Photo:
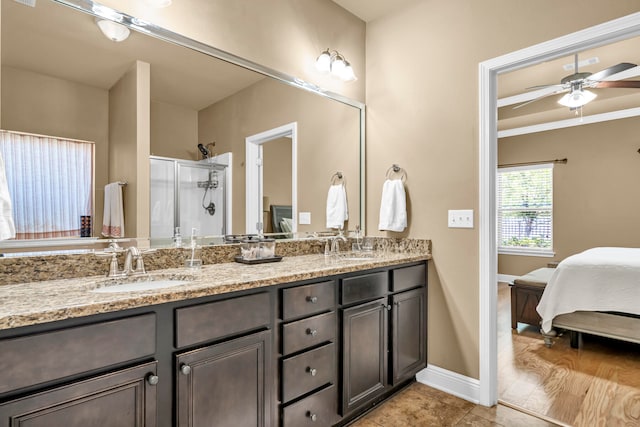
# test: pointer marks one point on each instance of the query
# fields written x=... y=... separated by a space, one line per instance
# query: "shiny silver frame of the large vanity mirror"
x=99 y=10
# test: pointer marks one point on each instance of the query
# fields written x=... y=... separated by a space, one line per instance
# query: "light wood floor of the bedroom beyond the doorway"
x=598 y=385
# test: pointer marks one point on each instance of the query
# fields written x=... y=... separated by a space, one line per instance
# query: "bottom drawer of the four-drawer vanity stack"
x=319 y=409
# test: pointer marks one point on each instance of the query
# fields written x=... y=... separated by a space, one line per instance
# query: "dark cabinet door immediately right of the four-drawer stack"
x=364 y=359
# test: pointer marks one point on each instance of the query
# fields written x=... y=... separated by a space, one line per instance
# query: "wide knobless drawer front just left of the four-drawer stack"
x=207 y=322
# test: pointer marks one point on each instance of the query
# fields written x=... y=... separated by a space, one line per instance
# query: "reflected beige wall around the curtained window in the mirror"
x=40 y=104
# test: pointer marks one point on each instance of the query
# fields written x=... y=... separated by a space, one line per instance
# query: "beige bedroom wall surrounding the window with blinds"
x=596 y=201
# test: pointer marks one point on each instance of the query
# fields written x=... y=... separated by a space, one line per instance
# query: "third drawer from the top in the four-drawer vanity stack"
x=307 y=371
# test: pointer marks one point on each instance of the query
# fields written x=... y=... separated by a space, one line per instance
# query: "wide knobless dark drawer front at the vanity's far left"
x=35 y=359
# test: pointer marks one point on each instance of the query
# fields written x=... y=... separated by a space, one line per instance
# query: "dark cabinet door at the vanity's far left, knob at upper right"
x=125 y=398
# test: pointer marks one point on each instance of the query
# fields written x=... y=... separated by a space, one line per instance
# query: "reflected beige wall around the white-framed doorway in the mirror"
x=327 y=142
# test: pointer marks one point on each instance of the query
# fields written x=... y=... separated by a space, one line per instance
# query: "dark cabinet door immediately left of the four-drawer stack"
x=226 y=384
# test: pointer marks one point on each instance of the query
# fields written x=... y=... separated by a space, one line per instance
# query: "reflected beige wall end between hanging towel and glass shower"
x=129 y=118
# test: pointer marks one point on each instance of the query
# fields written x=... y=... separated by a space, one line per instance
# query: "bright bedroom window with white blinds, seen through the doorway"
x=525 y=210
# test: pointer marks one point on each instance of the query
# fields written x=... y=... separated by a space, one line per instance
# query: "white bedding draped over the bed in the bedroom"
x=598 y=279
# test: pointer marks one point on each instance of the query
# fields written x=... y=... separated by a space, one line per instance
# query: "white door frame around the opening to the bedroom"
x=608 y=32
